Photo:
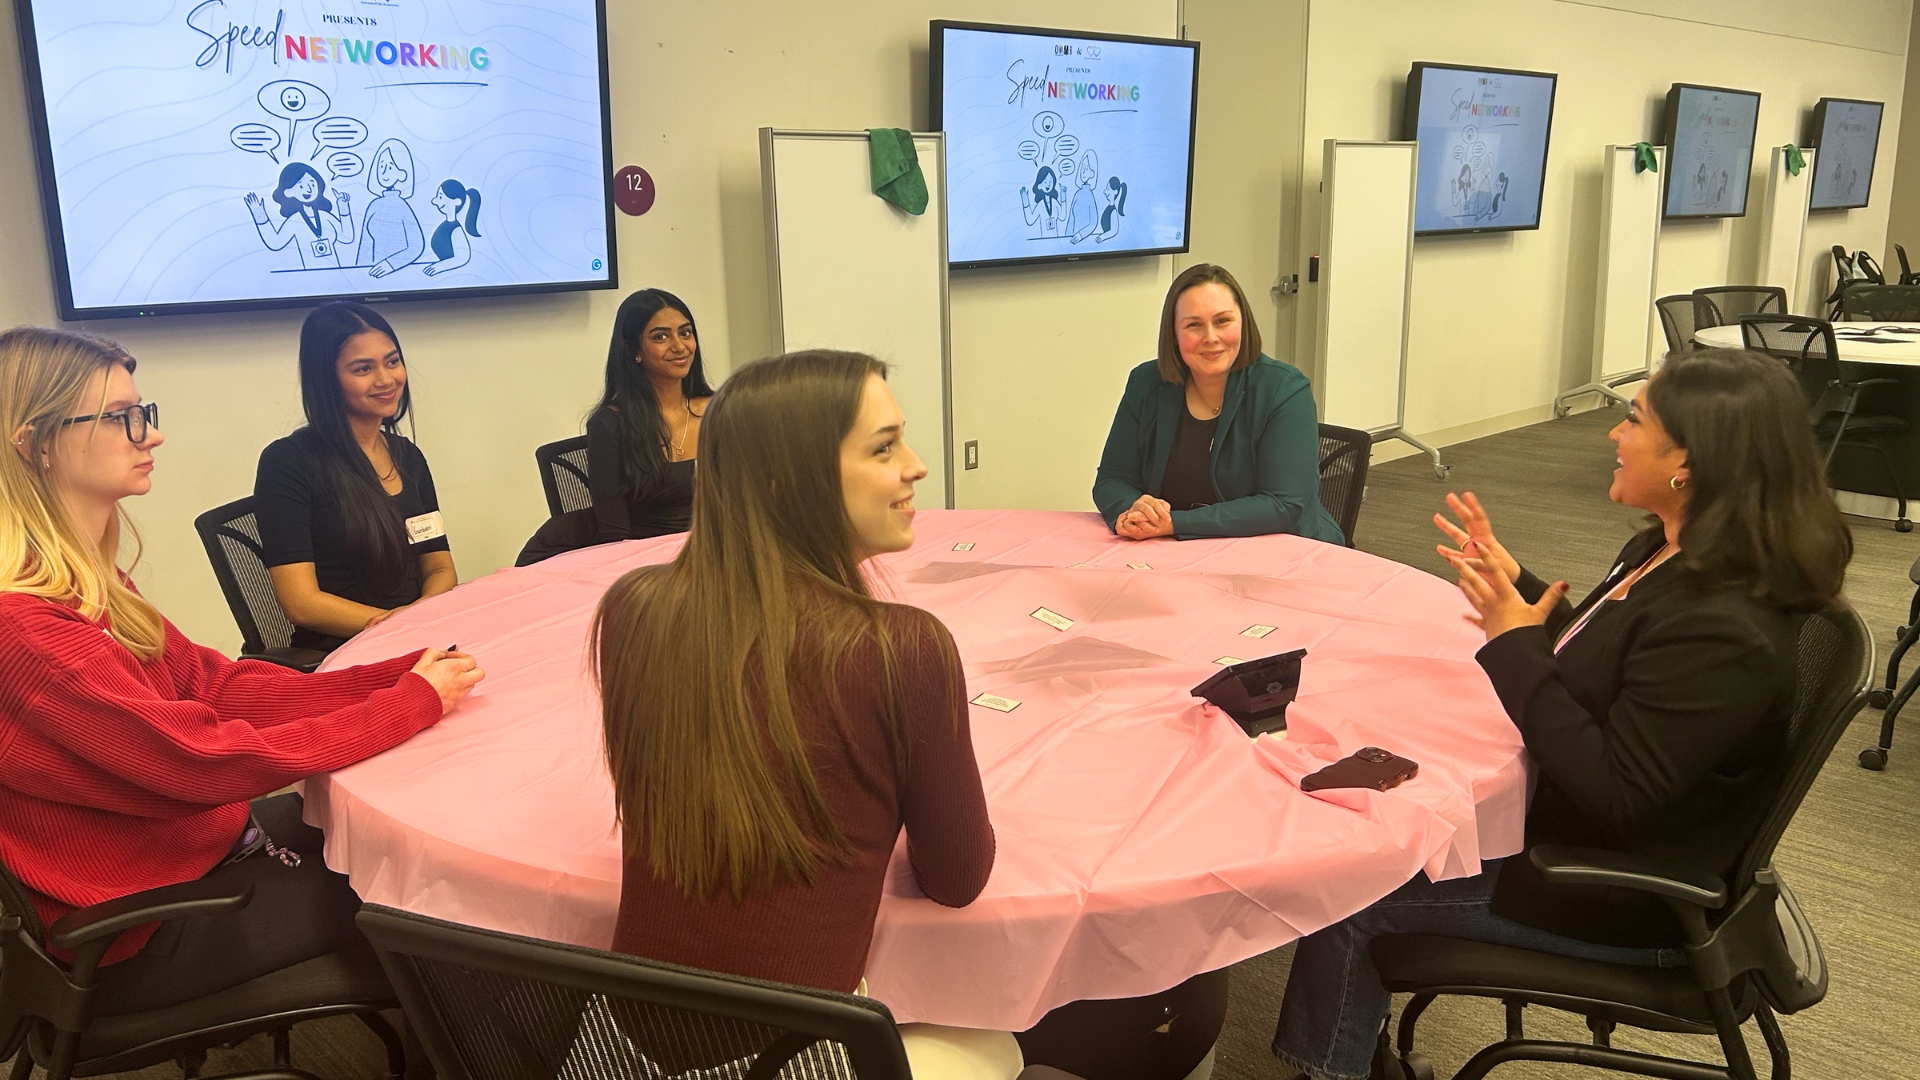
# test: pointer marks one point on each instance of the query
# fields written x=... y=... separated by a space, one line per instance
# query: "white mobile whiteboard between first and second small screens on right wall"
x=1629 y=257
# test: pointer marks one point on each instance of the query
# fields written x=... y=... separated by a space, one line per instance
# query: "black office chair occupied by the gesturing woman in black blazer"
x=1750 y=948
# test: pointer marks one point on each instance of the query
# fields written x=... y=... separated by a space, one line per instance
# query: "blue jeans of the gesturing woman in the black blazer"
x=1335 y=1004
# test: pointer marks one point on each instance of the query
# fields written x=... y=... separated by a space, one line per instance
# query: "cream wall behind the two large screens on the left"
x=1040 y=356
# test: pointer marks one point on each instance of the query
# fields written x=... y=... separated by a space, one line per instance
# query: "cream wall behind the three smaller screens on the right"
x=1504 y=322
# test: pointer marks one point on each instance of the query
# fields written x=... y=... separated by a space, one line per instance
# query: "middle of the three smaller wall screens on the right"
x=1710 y=151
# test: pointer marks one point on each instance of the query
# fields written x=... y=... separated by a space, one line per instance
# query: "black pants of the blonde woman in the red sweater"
x=297 y=914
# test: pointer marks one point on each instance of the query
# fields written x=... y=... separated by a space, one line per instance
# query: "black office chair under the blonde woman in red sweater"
x=49 y=1018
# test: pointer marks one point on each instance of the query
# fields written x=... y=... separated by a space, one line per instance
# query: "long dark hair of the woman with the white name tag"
x=375 y=533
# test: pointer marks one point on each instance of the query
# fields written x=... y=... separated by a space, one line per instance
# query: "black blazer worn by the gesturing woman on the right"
x=1658 y=729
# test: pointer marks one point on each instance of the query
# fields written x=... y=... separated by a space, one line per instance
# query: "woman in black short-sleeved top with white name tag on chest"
x=348 y=518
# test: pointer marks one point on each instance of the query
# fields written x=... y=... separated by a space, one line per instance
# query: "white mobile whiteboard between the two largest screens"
x=852 y=272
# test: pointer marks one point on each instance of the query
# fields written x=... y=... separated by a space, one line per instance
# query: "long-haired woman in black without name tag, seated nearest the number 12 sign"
x=642 y=435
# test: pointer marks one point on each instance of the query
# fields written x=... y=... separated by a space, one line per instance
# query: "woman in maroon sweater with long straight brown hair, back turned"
x=771 y=725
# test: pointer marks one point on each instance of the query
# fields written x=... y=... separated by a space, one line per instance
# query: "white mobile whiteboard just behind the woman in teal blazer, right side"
x=1360 y=368
